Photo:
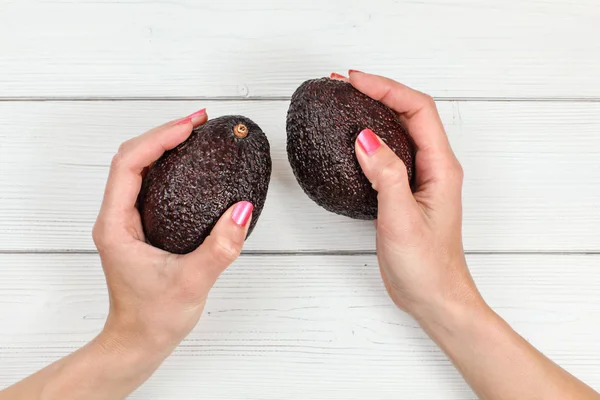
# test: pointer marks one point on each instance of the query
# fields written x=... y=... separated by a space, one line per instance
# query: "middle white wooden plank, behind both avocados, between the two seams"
x=532 y=175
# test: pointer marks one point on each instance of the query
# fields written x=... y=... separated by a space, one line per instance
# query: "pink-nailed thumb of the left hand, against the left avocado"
x=224 y=244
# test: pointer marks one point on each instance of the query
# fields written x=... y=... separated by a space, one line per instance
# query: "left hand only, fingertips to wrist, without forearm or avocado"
x=157 y=297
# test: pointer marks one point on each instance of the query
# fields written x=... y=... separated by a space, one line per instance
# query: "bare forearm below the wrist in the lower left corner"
x=106 y=368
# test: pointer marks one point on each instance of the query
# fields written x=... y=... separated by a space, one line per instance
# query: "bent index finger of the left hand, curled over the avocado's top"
x=125 y=177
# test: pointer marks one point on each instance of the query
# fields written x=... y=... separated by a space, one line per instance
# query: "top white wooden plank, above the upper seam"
x=237 y=48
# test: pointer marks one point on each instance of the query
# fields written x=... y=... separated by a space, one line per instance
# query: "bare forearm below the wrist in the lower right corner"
x=497 y=362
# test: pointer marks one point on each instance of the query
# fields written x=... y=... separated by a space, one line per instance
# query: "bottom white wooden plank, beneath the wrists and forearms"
x=303 y=327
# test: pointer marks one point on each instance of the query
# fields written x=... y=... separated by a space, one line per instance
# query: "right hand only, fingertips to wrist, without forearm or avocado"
x=419 y=243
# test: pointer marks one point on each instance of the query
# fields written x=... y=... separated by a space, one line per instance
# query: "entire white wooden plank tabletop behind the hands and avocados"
x=303 y=314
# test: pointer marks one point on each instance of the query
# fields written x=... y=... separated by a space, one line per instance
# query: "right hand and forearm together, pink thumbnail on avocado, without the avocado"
x=419 y=246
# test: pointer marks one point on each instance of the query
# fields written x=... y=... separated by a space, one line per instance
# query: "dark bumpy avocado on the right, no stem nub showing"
x=323 y=121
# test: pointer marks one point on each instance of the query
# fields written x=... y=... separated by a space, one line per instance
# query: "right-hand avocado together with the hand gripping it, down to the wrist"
x=348 y=169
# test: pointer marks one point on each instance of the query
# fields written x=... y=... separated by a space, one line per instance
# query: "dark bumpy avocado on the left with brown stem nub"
x=187 y=190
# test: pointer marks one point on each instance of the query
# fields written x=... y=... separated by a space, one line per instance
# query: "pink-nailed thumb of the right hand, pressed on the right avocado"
x=385 y=170
